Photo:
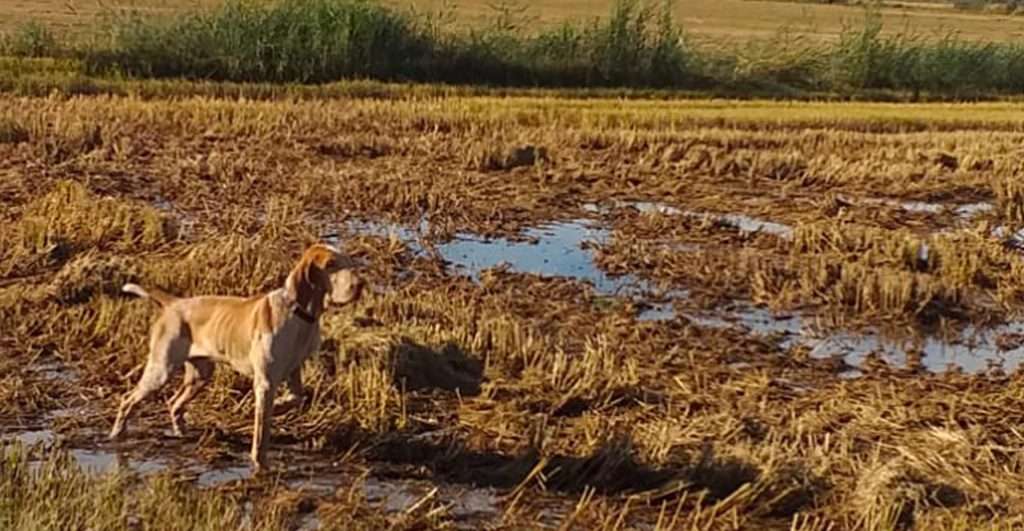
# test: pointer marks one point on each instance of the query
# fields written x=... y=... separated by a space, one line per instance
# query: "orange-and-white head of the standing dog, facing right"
x=324 y=272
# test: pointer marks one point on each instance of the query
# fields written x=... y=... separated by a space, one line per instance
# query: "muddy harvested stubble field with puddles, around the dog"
x=745 y=320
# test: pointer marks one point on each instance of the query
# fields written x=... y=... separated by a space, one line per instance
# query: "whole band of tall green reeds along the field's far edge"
x=637 y=46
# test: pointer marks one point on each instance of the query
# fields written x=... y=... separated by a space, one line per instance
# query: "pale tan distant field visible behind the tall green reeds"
x=705 y=18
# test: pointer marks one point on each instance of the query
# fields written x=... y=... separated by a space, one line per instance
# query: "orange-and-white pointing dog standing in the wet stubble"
x=266 y=337
